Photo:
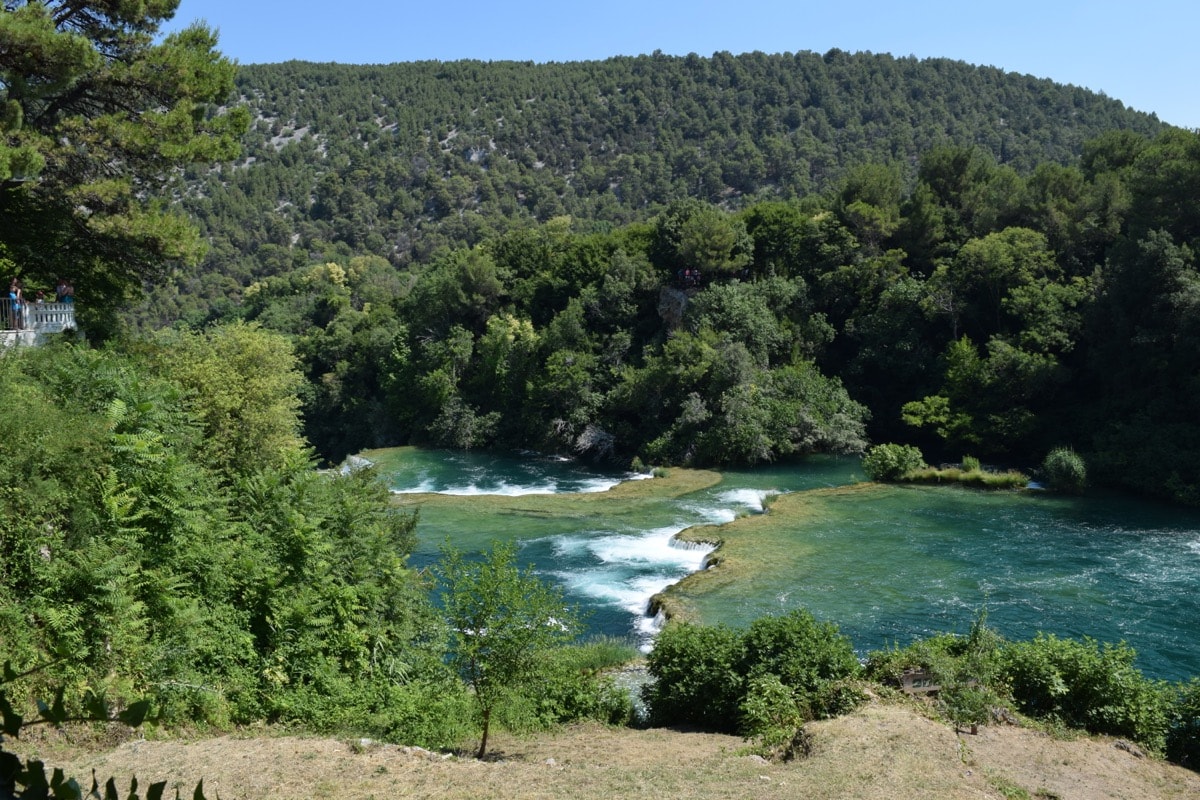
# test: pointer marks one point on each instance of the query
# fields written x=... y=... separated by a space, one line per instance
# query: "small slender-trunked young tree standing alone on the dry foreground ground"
x=501 y=618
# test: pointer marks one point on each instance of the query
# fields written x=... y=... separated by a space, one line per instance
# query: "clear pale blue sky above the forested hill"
x=1141 y=52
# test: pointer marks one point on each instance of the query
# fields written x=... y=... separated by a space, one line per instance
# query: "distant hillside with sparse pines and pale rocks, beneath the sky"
x=398 y=161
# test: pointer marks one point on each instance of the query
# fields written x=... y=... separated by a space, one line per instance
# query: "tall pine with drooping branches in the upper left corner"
x=99 y=121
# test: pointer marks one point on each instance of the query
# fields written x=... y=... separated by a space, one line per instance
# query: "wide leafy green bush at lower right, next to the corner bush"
x=1087 y=685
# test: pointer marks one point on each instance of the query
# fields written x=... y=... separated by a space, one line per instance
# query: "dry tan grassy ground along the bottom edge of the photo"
x=886 y=750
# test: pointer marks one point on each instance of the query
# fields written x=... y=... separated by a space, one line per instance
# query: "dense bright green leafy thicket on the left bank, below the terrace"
x=223 y=593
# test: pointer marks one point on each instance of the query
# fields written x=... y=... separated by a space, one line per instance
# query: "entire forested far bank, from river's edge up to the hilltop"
x=497 y=255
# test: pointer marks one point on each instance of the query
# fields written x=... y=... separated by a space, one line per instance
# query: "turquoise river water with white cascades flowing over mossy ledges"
x=887 y=564
